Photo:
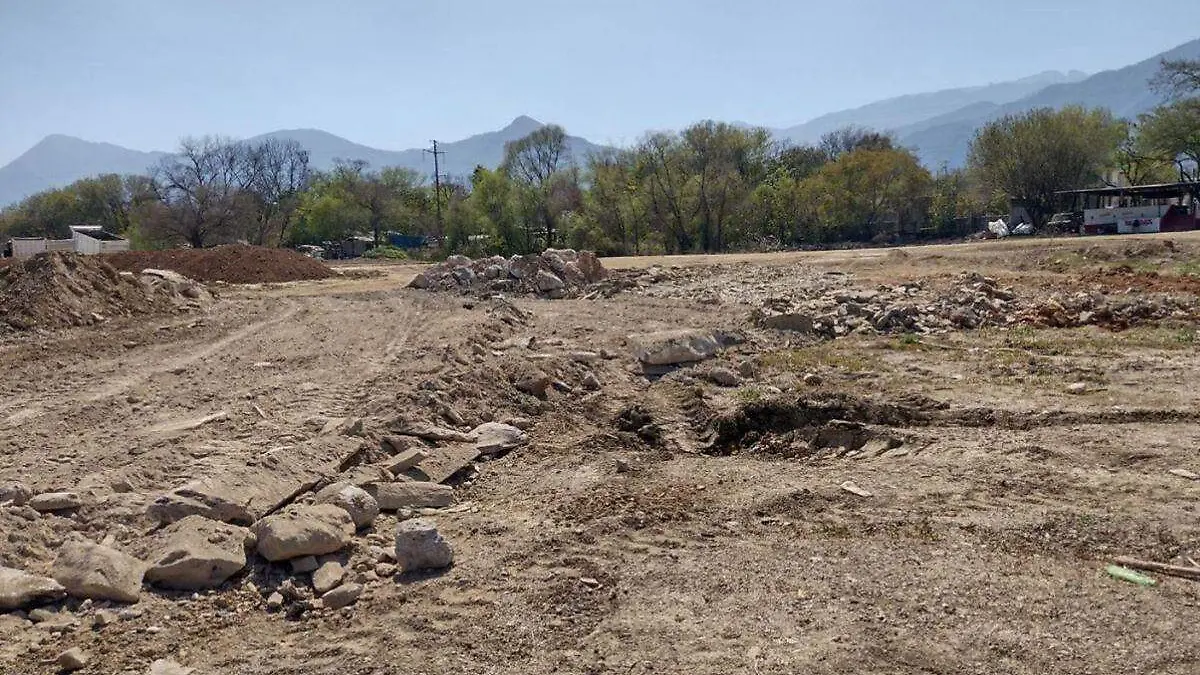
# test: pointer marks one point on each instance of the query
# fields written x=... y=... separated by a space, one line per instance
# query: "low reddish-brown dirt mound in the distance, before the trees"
x=233 y=265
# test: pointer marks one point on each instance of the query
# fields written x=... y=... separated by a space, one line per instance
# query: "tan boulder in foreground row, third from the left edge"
x=197 y=553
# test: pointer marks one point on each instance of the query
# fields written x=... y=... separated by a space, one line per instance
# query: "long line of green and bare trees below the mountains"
x=710 y=188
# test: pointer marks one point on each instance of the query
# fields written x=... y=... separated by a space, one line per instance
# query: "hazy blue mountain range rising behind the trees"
x=938 y=126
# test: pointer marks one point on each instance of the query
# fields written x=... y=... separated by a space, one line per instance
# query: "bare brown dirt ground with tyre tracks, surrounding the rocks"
x=1006 y=468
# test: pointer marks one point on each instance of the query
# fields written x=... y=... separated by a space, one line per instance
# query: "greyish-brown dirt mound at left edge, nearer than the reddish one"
x=61 y=290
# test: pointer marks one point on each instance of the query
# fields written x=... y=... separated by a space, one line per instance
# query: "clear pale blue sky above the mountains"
x=394 y=74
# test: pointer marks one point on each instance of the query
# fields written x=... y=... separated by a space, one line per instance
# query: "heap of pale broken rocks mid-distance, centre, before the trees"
x=555 y=273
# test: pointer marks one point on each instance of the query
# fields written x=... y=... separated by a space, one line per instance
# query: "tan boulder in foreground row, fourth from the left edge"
x=304 y=530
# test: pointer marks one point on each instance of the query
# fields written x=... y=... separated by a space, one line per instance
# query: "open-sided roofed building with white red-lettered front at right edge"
x=1136 y=210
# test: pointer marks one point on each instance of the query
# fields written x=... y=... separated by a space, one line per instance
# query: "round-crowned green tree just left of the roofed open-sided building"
x=1033 y=156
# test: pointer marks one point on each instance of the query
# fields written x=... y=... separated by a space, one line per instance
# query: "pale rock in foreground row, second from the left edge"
x=100 y=574
